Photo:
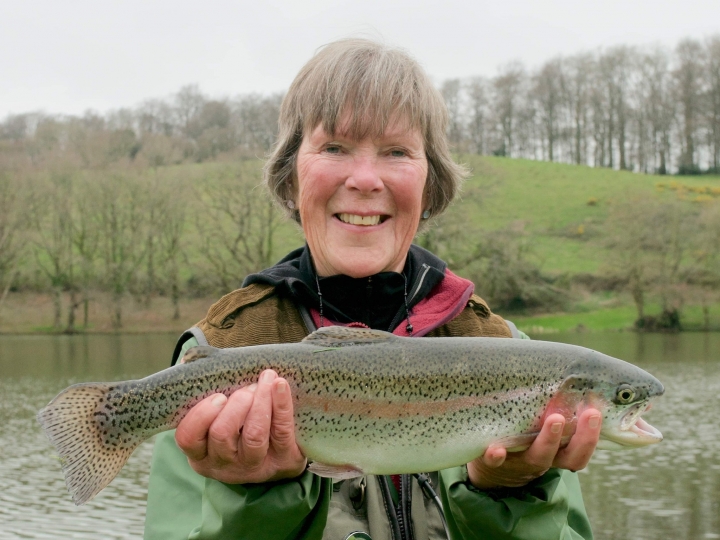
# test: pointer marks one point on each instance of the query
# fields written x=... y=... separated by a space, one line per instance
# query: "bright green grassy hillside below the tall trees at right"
x=562 y=206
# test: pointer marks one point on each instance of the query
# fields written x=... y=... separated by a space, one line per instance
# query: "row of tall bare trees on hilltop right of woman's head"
x=648 y=109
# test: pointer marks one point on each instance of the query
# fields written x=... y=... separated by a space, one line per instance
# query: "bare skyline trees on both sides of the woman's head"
x=646 y=109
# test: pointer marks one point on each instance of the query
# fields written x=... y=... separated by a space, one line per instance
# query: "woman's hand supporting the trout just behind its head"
x=498 y=468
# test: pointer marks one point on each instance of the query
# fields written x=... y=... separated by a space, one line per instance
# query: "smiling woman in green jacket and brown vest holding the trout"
x=361 y=161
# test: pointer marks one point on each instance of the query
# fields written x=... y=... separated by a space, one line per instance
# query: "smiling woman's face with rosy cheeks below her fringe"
x=360 y=201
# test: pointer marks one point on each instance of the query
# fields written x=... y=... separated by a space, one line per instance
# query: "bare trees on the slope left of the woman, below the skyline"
x=85 y=235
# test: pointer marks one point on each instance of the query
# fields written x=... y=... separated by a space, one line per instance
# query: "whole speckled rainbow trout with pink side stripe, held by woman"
x=365 y=401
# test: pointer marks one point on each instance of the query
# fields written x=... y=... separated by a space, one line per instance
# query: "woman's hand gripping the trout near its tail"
x=246 y=438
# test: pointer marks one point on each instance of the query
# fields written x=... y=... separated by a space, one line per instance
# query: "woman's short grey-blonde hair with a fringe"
x=374 y=84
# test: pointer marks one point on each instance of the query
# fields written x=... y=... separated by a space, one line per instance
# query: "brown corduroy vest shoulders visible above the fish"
x=256 y=315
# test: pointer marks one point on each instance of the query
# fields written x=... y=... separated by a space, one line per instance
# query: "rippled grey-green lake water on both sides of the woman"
x=669 y=490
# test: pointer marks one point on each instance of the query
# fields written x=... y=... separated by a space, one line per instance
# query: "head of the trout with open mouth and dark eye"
x=621 y=391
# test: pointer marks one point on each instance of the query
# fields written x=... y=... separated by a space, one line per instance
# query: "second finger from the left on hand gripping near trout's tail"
x=224 y=433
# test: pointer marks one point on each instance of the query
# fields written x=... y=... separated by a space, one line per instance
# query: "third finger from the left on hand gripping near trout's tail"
x=255 y=438
